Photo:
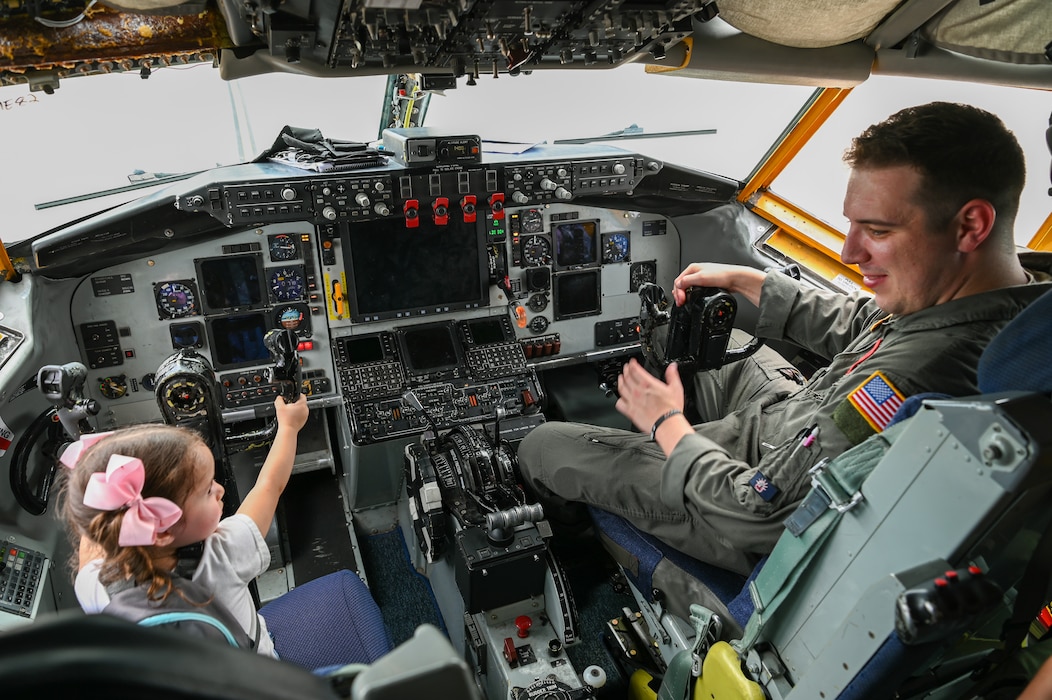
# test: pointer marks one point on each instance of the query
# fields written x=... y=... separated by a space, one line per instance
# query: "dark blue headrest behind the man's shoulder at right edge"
x=1020 y=357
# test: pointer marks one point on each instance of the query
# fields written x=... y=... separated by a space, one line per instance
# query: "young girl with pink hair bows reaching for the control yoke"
x=134 y=497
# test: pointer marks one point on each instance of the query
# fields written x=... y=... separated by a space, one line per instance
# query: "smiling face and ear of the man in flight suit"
x=907 y=266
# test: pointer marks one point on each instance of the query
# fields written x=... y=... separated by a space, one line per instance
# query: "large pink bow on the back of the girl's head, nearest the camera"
x=120 y=486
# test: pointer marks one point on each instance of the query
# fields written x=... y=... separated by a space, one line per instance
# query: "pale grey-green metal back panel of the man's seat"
x=927 y=501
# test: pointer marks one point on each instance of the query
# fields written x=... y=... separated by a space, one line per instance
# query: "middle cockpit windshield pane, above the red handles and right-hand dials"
x=718 y=127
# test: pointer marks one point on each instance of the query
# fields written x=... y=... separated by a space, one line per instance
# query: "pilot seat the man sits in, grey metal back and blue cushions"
x=915 y=567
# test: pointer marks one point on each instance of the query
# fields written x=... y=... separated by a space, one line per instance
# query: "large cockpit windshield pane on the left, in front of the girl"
x=102 y=142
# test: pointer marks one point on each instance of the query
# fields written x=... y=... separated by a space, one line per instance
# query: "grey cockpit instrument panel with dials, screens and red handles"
x=423 y=297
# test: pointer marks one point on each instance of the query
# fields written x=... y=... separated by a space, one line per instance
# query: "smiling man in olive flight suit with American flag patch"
x=932 y=204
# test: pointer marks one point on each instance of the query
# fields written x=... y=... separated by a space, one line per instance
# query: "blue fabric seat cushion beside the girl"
x=330 y=622
